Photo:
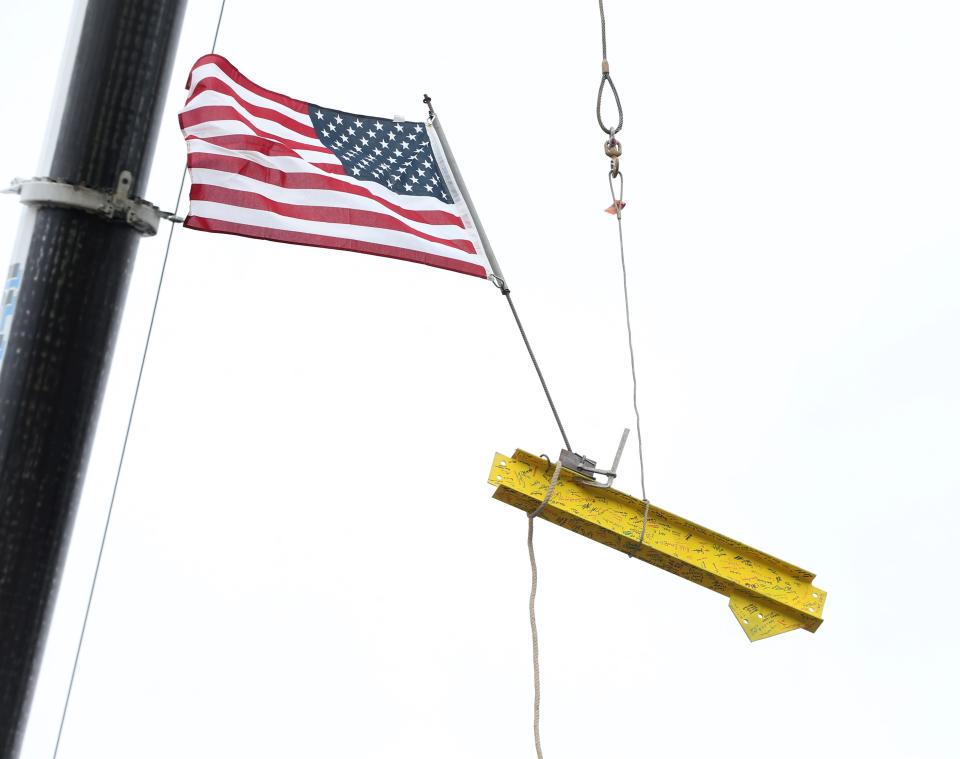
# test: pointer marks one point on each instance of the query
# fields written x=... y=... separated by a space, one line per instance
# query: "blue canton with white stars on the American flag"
x=396 y=154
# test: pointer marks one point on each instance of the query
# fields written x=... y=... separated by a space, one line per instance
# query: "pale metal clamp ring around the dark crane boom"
x=144 y=217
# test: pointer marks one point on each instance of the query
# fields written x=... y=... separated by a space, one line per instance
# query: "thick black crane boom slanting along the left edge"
x=57 y=350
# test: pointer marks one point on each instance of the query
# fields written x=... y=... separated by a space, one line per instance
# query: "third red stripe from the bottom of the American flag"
x=306 y=181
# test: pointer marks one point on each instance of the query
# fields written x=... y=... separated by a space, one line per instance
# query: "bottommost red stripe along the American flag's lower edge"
x=338 y=243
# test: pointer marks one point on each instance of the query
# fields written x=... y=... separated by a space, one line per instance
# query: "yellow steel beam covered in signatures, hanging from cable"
x=768 y=596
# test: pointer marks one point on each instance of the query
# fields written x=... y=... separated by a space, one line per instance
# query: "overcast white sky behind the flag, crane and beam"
x=304 y=558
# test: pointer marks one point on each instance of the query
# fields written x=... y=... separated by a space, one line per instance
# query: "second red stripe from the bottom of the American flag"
x=351 y=216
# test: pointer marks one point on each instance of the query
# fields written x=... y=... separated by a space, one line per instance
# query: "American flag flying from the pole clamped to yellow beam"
x=268 y=166
